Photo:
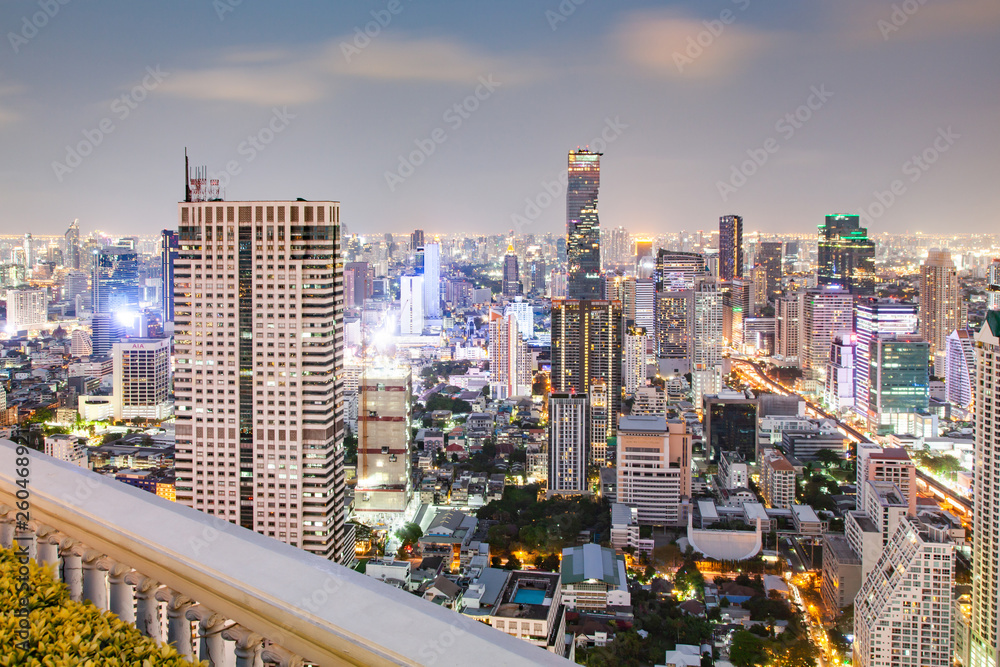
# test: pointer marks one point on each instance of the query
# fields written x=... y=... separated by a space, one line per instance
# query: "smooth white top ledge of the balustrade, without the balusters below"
x=326 y=613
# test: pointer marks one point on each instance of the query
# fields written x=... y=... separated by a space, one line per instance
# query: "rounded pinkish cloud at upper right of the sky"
x=669 y=44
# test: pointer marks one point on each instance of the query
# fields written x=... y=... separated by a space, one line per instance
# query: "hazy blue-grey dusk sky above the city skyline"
x=456 y=117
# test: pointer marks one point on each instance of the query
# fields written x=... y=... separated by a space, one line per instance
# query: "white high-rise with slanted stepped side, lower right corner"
x=902 y=613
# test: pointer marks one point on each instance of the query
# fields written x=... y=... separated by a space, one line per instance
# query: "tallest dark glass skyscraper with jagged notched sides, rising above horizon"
x=583 y=230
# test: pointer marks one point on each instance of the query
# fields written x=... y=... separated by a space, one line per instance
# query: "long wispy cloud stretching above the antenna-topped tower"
x=269 y=77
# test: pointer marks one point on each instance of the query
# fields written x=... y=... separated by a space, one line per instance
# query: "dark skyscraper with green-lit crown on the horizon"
x=846 y=256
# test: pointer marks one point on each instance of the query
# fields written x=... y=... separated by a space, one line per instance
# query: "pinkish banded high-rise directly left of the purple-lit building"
x=826 y=312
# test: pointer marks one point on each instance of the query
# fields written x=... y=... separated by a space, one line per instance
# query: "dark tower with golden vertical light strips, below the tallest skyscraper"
x=586 y=346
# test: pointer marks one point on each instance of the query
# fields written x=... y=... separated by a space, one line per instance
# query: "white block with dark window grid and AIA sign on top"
x=142 y=379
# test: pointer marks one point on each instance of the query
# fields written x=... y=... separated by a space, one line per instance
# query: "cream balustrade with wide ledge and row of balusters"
x=231 y=589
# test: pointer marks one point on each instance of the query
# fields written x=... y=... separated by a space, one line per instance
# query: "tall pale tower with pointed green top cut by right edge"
x=985 y=529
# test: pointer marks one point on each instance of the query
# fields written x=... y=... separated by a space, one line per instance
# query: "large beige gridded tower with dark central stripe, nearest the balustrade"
x=259 y=382
